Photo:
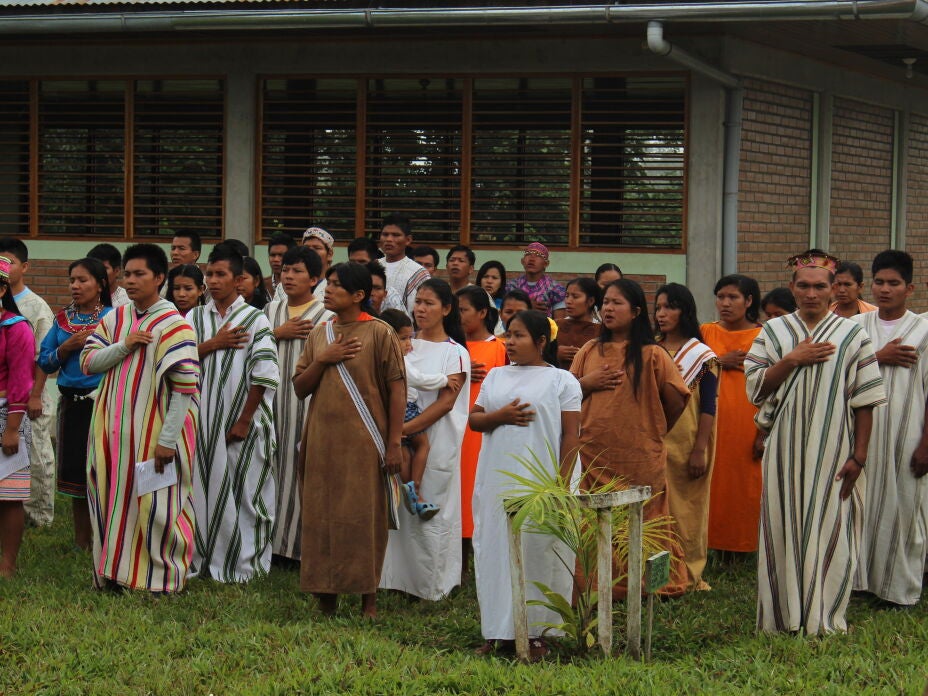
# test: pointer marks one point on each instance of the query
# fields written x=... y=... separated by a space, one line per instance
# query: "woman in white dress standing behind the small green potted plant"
x=523 y=408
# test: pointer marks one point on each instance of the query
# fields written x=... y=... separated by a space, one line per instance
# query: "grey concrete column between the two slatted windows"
x=240 y=164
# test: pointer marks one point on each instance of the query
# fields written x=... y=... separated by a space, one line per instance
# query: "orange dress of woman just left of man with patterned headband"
x=734 y=496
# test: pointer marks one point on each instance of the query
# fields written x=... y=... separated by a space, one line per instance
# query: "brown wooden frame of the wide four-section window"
x=467 y=139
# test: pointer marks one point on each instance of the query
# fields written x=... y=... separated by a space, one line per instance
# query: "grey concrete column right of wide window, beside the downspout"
x=706 y=157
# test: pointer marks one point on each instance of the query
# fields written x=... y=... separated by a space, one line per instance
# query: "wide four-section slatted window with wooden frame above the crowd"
x=571 y=161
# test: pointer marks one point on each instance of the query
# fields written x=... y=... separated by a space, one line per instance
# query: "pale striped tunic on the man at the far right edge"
x=895 y=529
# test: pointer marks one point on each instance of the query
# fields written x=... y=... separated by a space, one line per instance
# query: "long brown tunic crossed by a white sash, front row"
x=344 y=527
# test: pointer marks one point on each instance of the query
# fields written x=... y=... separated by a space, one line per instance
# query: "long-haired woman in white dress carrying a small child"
x=425 y=559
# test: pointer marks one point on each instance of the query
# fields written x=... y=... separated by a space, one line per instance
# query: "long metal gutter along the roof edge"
x=238 y=19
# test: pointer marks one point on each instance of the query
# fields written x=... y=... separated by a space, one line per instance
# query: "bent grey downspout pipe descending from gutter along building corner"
x=734 y=101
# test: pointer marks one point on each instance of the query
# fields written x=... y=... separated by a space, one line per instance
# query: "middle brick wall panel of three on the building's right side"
x=861 y=181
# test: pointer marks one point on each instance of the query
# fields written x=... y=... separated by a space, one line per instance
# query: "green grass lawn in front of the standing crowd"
x=57 y=636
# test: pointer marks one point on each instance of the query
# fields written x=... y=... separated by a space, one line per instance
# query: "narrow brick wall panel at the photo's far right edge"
x=917 y=207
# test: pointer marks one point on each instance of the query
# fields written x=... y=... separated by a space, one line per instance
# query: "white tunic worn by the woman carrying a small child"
x=424 y=557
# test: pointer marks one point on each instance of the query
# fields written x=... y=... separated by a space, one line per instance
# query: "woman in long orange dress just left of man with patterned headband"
x=734 y=497
